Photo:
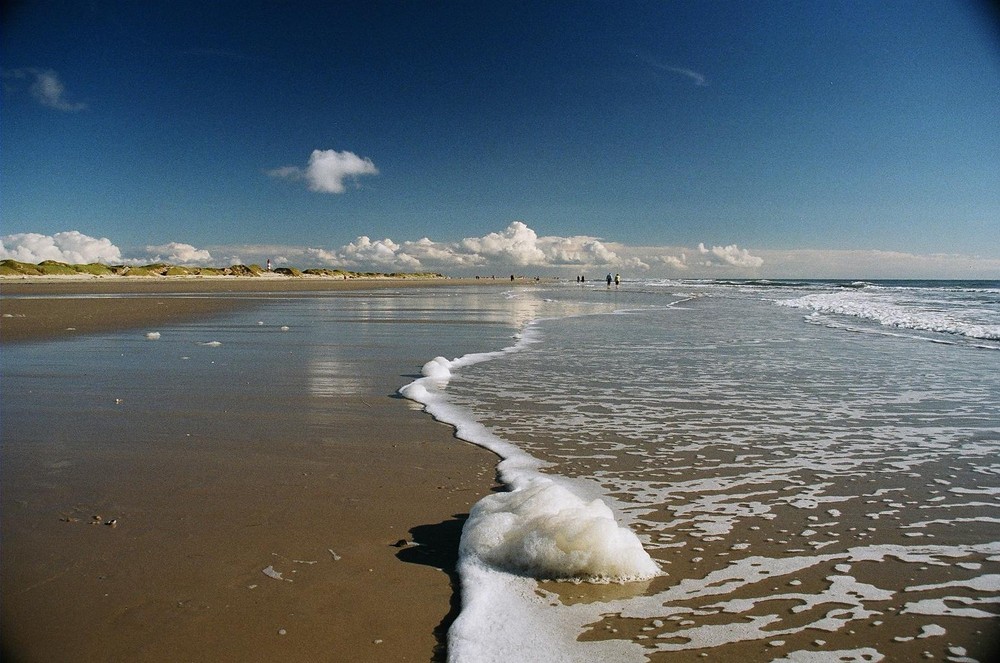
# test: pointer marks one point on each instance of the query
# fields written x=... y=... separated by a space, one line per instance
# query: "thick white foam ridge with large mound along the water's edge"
x=545 y=527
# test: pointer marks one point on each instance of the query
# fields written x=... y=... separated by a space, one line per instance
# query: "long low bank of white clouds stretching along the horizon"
x=520 y=248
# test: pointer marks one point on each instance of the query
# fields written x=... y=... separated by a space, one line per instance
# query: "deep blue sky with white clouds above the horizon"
x=854 y=139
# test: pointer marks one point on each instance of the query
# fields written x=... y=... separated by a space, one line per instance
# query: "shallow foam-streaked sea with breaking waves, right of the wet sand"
x=798 y=471
